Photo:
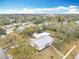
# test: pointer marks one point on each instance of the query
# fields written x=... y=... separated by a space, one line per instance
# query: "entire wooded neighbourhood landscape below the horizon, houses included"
x=41 y=37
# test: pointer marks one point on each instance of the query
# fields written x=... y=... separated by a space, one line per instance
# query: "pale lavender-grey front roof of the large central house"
x=43 y=41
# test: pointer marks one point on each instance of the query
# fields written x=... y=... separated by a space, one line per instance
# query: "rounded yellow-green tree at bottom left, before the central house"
x=22 y=52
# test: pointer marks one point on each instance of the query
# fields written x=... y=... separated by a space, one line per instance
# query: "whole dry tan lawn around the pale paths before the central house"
x=50 y=53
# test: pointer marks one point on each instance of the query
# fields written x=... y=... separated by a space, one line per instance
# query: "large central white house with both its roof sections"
x=41 y=40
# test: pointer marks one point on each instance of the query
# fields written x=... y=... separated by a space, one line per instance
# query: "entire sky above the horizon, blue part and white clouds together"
x=39 y=6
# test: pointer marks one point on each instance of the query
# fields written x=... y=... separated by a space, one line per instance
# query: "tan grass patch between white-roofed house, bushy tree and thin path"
x=47 y=53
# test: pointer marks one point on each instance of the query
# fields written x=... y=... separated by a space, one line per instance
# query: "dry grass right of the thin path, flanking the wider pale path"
x=67 y=46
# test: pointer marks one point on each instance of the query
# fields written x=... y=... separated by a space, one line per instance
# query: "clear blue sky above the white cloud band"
x=11 y=4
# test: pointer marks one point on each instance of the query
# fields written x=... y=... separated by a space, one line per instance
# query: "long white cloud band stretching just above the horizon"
x=54 y=10
